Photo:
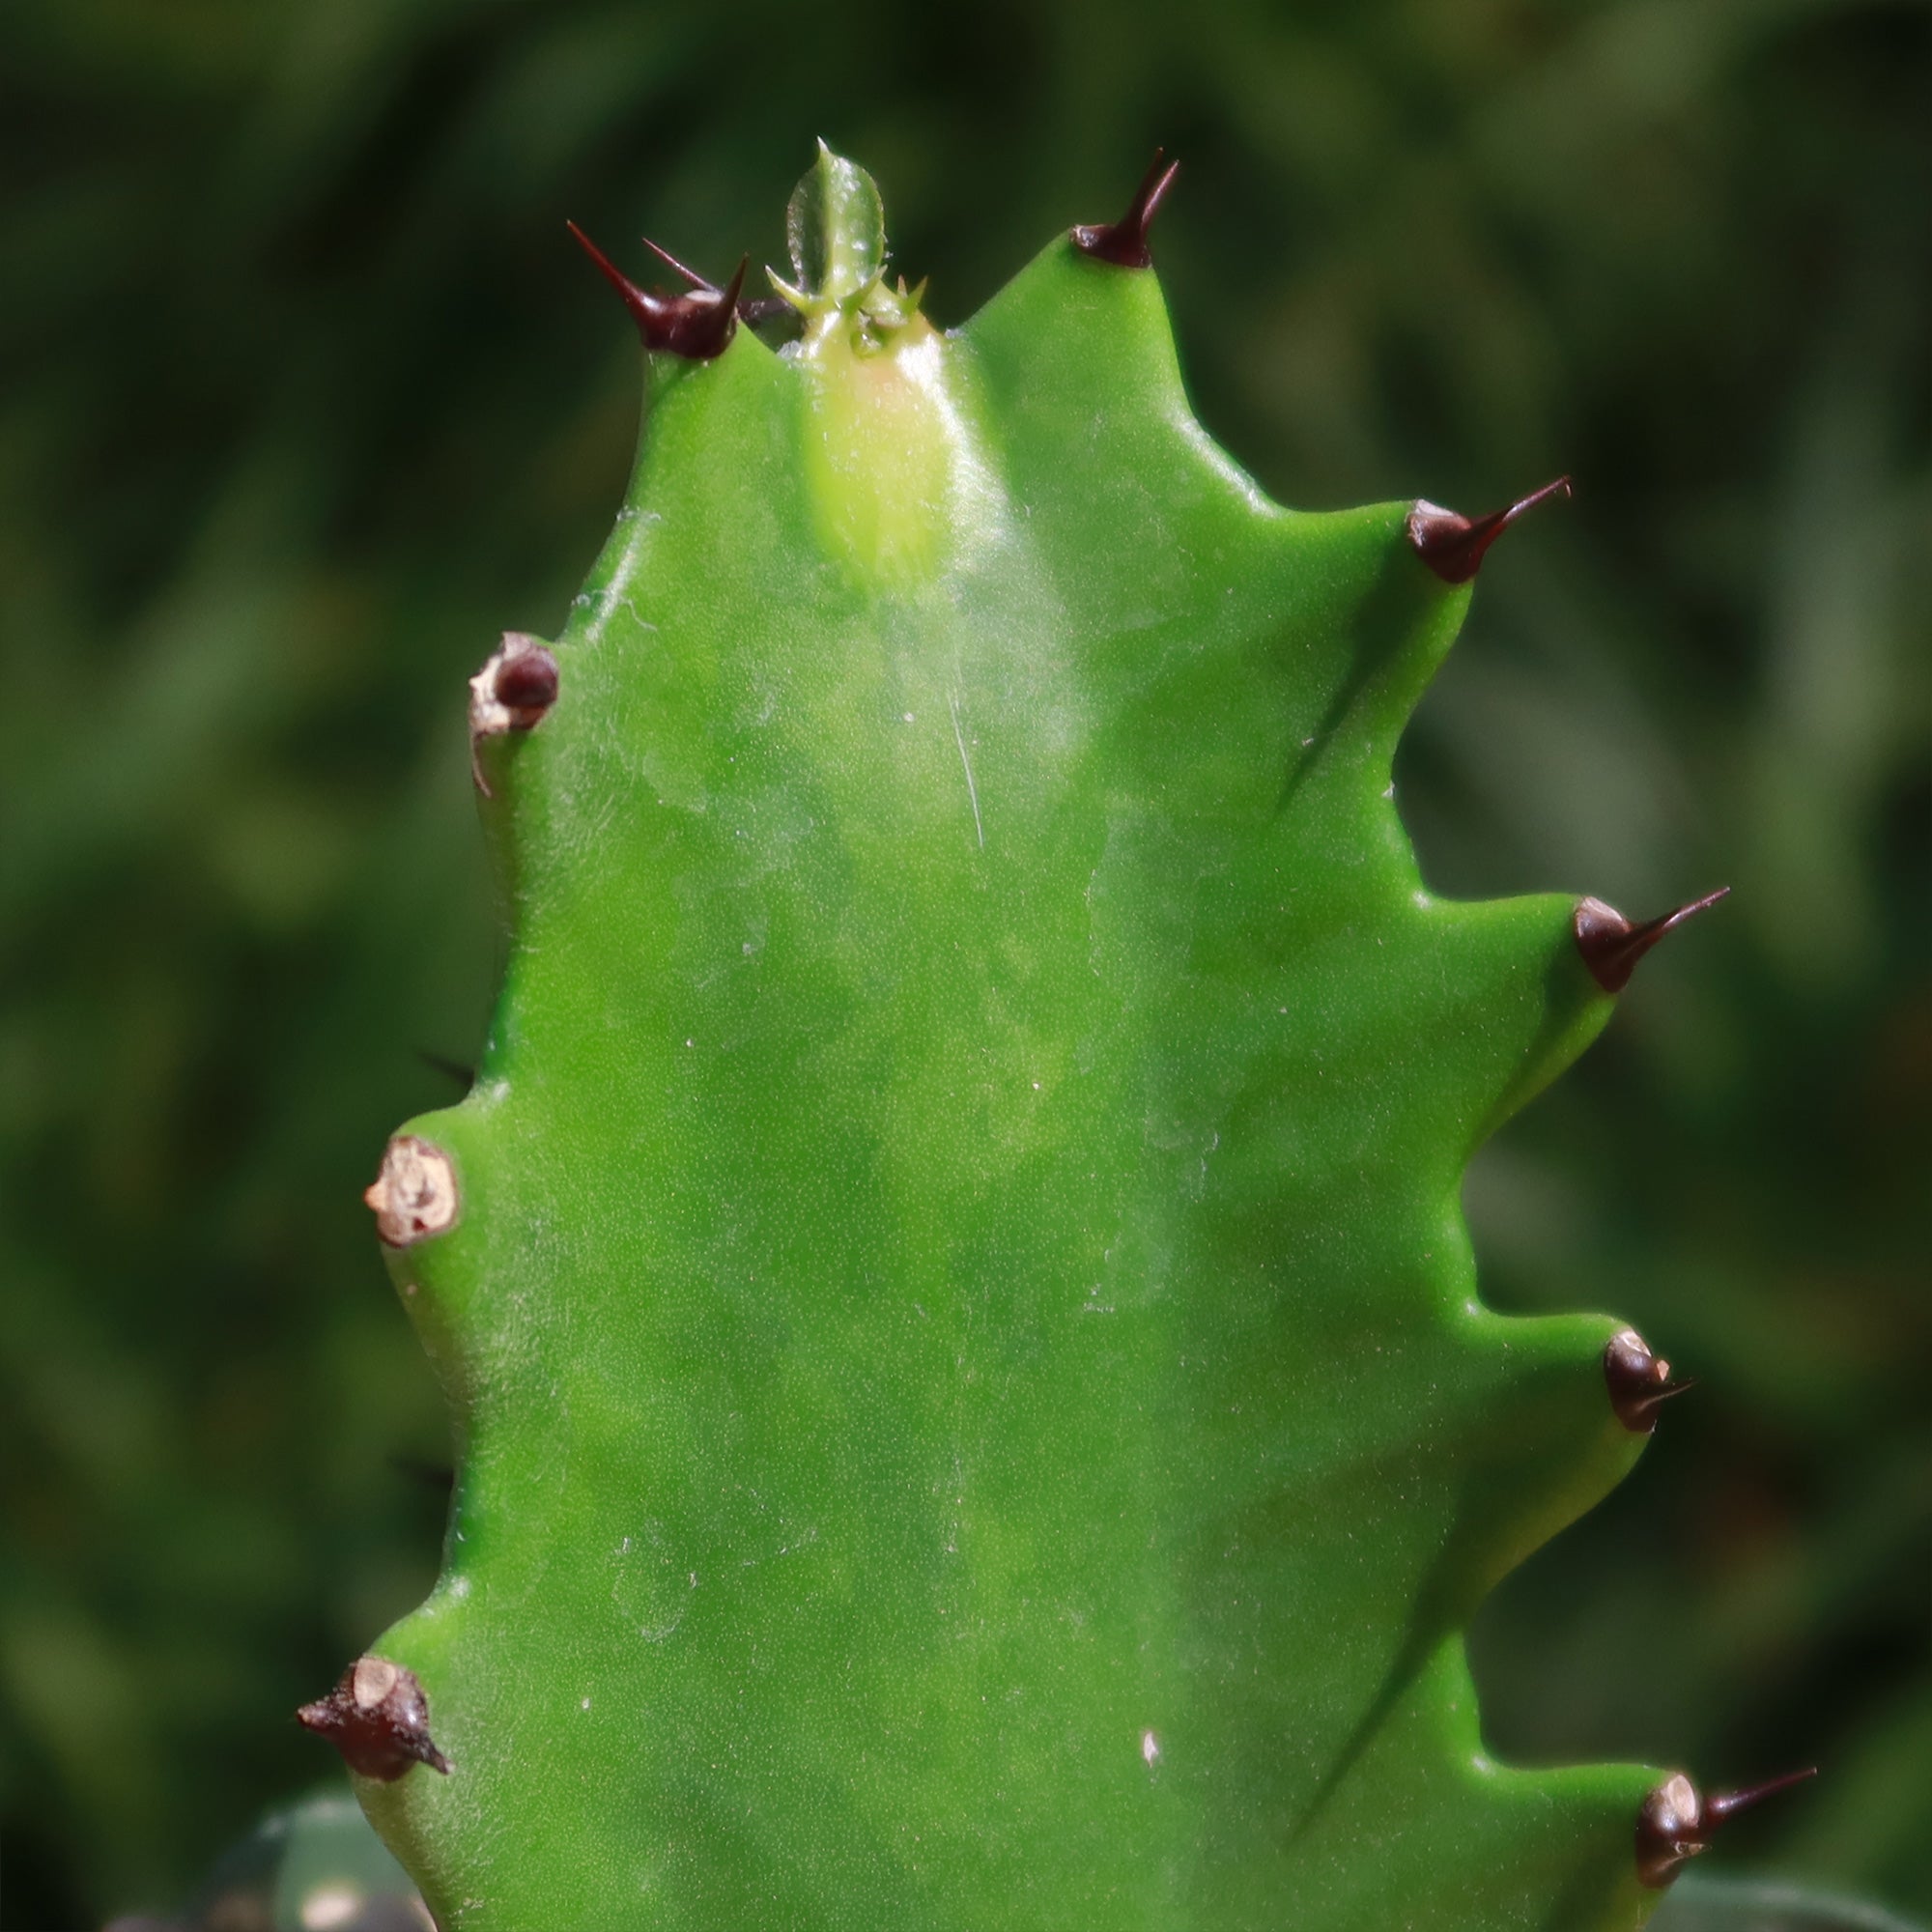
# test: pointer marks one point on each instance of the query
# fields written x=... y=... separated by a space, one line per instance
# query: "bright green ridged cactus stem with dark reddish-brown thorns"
x=971 y=1394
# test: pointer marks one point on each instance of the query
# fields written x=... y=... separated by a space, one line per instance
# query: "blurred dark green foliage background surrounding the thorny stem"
x=308 y=397
